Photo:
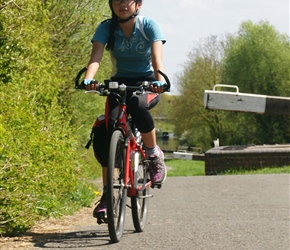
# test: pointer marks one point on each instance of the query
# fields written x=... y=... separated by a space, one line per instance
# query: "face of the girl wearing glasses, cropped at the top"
x=125 y=8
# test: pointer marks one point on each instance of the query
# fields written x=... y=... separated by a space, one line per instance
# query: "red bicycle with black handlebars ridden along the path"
x=128 y=166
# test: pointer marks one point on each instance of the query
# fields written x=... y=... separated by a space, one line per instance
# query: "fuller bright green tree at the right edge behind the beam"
x=257 y=59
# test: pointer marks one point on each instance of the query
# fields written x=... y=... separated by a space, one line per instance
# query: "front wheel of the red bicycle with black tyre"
x=116 y=193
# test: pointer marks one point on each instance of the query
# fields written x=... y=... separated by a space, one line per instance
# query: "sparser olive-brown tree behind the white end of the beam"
x=202 y=71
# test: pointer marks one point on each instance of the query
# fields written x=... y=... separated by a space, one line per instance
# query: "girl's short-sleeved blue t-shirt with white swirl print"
x=131 y=57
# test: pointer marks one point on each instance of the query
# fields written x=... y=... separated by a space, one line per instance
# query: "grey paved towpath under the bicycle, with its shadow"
x=208 y=212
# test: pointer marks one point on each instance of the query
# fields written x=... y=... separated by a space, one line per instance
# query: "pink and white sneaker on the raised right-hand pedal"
x=157 y=168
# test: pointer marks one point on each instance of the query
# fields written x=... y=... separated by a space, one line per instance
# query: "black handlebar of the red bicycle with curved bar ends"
x=111 y=85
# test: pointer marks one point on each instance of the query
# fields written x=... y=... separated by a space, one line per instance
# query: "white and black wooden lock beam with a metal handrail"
x=243 y=102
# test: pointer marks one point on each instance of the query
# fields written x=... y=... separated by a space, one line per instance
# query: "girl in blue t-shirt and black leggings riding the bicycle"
x=135 y=45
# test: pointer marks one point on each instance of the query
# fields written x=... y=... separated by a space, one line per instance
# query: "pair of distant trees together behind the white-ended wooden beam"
x=257 y=59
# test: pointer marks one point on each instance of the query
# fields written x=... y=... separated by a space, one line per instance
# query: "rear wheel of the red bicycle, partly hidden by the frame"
x=139 y=204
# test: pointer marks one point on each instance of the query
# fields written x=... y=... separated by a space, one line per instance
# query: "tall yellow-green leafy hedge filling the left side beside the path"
x=41 y=174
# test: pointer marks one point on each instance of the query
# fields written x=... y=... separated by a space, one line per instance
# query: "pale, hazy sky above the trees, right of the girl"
x=187 y=21
